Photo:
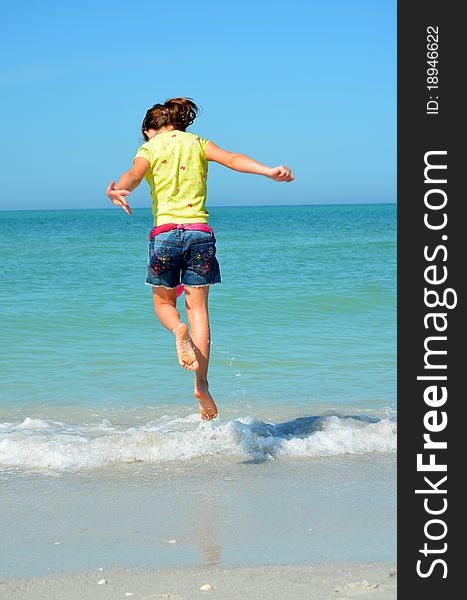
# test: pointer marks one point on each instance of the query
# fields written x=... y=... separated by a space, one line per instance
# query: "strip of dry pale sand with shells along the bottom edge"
x=272 y=582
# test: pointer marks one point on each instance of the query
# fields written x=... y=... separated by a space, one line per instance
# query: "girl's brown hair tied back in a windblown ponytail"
x=178 y=112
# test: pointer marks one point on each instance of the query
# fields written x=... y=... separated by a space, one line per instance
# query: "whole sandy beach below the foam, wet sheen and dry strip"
x=302 y=529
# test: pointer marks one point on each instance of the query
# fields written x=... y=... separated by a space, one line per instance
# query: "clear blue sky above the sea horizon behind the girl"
x=310 y=84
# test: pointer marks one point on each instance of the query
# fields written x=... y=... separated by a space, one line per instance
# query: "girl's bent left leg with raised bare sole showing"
x=165 y=301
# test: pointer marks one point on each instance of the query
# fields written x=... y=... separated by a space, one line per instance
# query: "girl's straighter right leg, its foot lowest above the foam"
x=198 y=317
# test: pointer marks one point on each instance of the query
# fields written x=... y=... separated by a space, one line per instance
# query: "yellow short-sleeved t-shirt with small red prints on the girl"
x=177 y=176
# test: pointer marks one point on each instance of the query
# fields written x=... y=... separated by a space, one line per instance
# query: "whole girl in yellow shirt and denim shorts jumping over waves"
x=182 y=247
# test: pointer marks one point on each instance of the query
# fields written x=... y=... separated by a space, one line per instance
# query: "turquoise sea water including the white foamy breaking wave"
x=303 y=326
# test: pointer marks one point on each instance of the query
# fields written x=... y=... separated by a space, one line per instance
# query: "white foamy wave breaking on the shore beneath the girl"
x=50 y=444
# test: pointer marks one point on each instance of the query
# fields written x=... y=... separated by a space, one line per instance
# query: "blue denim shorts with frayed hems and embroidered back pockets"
x=184 y=256
